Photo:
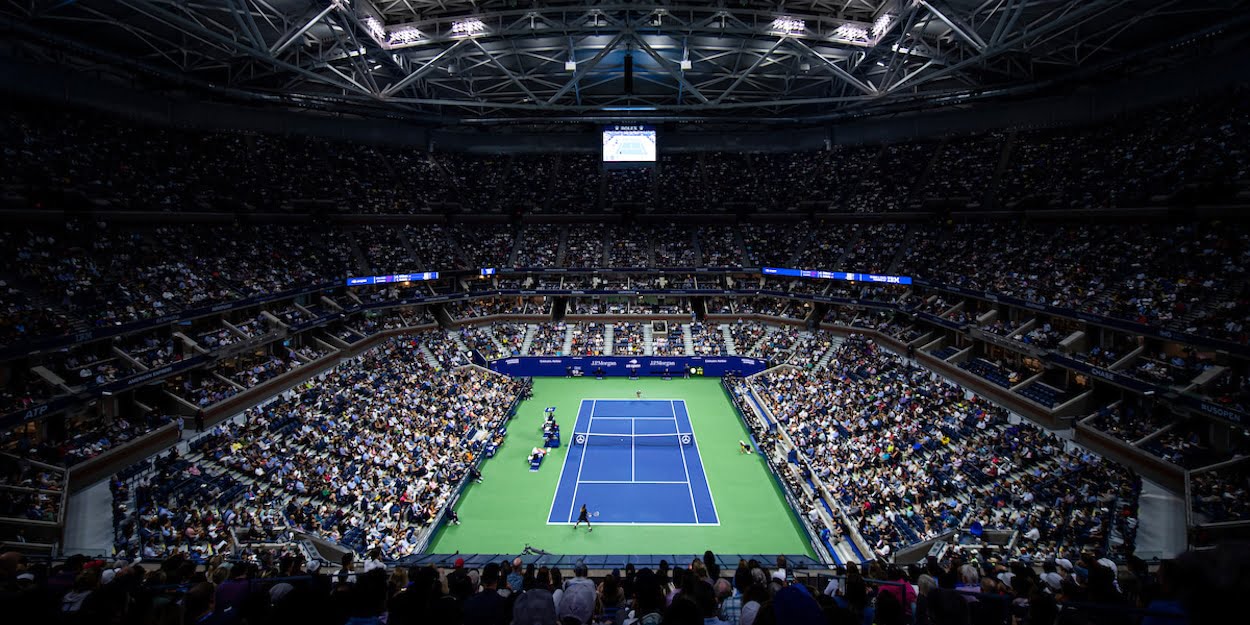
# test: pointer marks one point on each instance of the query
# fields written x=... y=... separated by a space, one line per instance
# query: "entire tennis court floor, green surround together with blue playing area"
x=512 y=508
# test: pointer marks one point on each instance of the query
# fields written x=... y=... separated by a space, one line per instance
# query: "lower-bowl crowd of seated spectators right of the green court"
x=912 y=457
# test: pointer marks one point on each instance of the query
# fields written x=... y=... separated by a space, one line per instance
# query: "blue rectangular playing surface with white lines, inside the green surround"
x=634 y=463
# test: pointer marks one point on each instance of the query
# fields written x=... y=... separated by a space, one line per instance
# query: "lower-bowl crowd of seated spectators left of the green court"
x=348 y=457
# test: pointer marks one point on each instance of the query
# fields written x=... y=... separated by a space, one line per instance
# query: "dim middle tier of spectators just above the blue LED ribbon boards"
x=1188 y=278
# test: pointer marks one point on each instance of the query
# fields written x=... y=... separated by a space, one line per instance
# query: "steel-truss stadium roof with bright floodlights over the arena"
x=497 y=61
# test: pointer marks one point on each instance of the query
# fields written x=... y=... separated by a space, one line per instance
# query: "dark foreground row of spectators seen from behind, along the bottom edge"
x=287 y=586
